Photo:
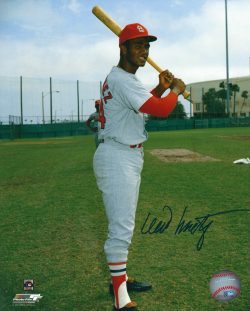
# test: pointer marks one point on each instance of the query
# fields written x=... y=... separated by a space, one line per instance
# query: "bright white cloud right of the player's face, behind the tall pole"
x=197 y=52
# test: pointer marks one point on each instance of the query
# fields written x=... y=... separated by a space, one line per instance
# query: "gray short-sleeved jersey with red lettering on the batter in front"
x=123 y=95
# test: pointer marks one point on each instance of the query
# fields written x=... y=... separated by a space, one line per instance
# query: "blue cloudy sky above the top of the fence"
x=63 y=39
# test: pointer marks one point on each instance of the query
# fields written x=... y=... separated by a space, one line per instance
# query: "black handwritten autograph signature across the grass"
x=201 y=224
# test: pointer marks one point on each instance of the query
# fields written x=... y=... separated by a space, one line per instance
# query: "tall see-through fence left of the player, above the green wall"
x=42 y=101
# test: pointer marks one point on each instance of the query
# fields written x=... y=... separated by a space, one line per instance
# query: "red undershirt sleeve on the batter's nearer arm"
x=160 y=107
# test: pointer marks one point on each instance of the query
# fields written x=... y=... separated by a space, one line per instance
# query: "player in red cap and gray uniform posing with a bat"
x=118 y=160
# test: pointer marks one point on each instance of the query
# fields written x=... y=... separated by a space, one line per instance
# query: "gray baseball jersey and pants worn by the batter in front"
x=118 y=161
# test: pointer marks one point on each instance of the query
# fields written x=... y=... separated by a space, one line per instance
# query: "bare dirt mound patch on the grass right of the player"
x=180 y=155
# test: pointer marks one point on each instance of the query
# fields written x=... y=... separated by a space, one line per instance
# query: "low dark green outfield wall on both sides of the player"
x=13 y=131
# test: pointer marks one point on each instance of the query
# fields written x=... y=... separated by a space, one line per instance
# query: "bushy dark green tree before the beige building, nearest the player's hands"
x=214 y=106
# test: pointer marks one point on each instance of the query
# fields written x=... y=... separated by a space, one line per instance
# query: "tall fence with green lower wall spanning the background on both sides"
x=34 y=107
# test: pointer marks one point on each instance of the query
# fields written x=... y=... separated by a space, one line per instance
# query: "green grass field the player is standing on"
x=53 y=225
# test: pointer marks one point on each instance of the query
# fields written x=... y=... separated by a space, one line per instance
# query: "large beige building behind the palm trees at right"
x=242 y=106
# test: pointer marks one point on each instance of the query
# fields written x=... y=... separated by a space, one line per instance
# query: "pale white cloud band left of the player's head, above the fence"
x=71 y=58
